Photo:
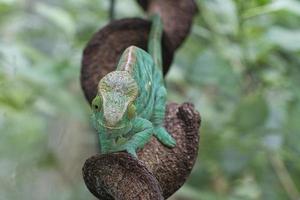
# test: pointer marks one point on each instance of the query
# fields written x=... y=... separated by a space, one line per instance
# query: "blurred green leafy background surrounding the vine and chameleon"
x=240 y=67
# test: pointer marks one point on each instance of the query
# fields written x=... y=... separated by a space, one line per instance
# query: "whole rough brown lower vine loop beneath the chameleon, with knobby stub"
x=119 y=176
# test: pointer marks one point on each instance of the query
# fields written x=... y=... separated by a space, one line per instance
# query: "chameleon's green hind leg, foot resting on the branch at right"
x=158 y=118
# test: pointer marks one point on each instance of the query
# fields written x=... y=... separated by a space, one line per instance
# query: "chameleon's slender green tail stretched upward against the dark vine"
x=154 y=44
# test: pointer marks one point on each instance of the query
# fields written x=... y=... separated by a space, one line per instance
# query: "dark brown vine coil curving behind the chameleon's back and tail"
x=103 y=51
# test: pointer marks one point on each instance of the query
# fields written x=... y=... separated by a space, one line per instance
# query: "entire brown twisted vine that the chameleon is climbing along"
x=160 y=171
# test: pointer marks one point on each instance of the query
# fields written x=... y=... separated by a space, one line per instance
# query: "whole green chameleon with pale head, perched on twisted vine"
x=130 y=104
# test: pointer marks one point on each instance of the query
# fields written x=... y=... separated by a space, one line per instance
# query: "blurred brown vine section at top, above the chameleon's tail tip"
x=177 y=16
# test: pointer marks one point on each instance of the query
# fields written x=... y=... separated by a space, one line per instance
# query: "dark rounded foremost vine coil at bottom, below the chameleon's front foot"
x=119 y=176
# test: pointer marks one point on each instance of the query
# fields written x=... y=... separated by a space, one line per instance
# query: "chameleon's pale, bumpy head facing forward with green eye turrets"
x=113 y=106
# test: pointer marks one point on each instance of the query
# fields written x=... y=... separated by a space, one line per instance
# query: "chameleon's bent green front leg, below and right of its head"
x=141 y=134
